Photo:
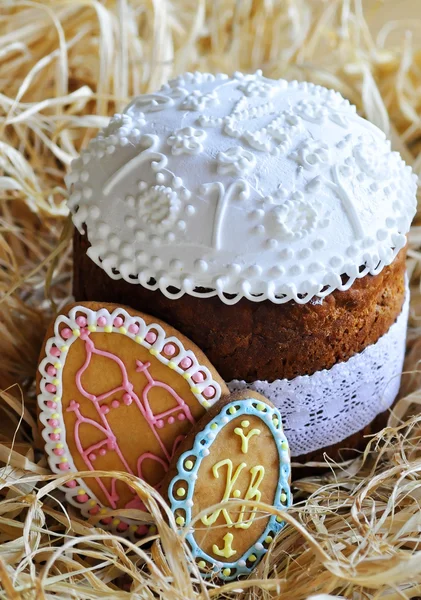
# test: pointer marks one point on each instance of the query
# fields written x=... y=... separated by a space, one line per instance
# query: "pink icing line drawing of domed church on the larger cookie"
x=109 y=441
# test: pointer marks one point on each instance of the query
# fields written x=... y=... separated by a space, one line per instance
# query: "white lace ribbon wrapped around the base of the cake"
x=324 y=408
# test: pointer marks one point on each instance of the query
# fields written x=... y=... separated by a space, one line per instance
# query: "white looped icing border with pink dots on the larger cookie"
x=80 y=489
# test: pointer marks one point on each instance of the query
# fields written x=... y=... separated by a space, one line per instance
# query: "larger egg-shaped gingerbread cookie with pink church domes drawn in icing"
x=118 y=391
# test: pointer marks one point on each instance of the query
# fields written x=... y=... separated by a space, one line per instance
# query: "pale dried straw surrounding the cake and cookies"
x=65 y=66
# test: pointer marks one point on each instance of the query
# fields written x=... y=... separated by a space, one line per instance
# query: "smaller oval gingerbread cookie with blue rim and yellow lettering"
x=238 y=451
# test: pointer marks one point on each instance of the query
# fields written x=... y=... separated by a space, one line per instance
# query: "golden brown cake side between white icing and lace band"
x=262 y=340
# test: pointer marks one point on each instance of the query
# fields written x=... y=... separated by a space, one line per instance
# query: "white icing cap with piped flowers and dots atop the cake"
x=256 y=188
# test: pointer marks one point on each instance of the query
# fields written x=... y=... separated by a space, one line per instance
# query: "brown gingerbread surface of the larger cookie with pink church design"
x=121 y=407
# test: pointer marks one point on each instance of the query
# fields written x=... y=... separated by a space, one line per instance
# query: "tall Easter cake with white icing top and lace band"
x=266 y=221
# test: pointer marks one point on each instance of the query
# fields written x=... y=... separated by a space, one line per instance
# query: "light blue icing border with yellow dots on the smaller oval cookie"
x=202 y=443
